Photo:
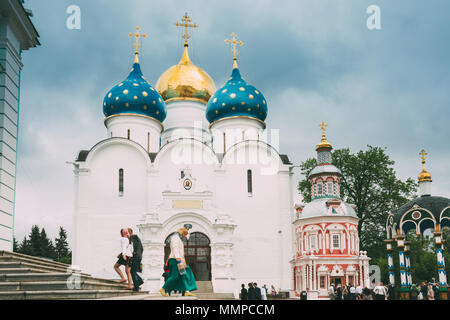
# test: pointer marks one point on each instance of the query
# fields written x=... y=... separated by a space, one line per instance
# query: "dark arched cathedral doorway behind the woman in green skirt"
x=197 y=252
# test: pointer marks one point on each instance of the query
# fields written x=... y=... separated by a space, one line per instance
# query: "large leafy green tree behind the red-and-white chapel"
x=370 y=183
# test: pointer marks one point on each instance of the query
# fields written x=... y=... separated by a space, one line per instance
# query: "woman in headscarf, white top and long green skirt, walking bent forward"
x=180 y=276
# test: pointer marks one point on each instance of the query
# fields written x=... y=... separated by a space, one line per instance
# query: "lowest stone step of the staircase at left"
x=66 y=294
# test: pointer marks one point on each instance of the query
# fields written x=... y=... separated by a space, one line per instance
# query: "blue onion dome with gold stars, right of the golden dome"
x=236 y=98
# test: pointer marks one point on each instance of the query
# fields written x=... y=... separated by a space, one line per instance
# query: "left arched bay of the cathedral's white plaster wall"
x=100 y=211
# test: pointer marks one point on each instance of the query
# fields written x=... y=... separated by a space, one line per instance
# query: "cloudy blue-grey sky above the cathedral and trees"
x=314 y=60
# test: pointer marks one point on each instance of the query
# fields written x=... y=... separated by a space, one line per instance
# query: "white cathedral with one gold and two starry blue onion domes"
x=186 y=154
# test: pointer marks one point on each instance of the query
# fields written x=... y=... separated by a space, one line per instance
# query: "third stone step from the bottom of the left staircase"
x=40 y=277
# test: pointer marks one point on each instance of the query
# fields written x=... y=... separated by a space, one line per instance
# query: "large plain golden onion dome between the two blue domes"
x=185 y=81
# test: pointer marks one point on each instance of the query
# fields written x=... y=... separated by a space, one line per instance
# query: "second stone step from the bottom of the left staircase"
x=59 y=285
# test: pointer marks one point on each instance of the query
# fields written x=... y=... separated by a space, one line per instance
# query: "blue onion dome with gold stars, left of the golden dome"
x=136 y=96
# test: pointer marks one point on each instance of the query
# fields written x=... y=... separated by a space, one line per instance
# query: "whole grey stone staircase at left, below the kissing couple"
x=25 y=277
